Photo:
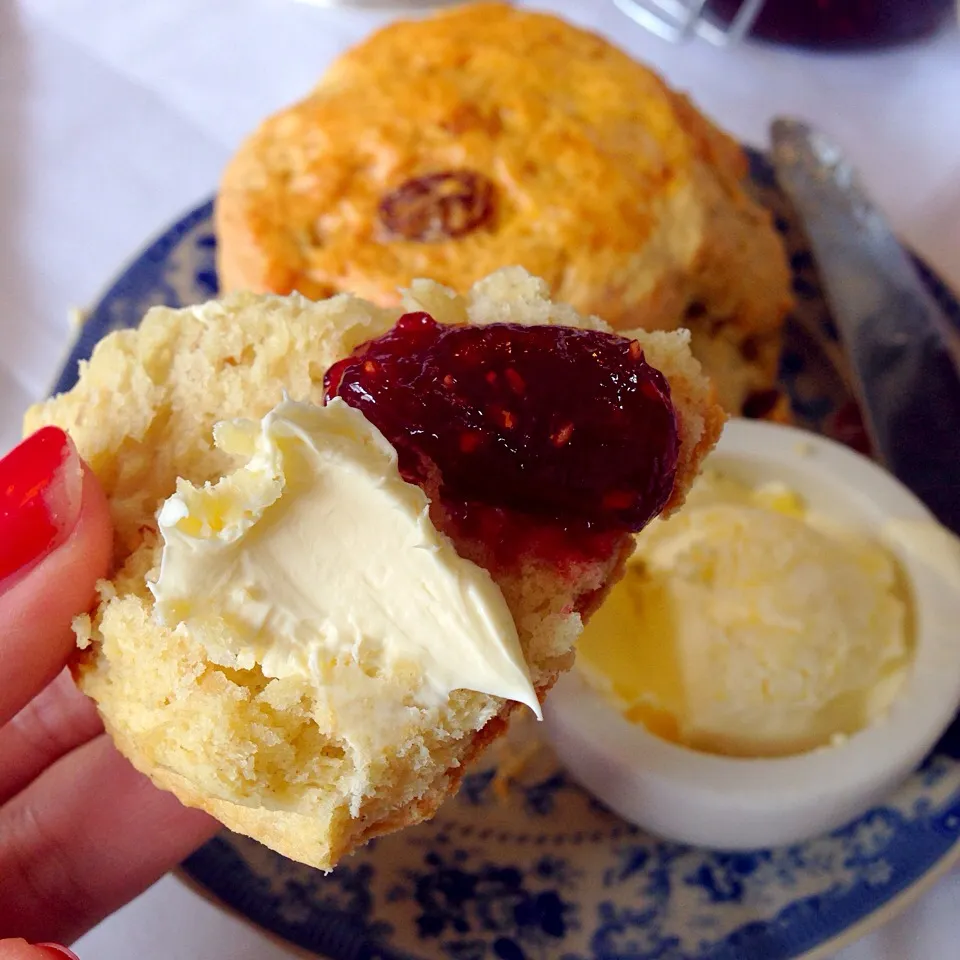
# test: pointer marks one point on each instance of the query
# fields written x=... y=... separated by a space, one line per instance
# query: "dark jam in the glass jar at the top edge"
x=841 y=24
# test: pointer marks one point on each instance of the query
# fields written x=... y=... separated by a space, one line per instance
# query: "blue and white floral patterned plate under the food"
x=524 y=865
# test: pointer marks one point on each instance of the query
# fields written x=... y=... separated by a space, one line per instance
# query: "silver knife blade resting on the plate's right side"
x=903 y=351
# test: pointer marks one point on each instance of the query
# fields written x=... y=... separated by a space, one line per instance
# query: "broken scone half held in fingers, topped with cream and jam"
x=542 y=441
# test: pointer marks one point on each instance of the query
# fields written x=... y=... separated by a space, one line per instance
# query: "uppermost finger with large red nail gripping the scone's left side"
x=55 y=543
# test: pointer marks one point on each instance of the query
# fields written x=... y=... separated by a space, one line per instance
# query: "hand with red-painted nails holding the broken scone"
x=81 y=832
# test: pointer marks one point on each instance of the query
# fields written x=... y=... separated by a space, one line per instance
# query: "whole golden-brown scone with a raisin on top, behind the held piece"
x=486 y=136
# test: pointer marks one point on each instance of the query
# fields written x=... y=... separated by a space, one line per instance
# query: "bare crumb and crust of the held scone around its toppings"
x=256 y=752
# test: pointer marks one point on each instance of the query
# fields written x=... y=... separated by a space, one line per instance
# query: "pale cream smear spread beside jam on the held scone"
x=317 y=552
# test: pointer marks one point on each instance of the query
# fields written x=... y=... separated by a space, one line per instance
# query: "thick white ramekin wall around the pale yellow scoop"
x=734 y=803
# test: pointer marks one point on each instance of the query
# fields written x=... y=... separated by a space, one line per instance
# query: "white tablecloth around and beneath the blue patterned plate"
x=116 y=115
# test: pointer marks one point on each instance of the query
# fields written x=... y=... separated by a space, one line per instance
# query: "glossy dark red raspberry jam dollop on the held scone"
x=567 y=426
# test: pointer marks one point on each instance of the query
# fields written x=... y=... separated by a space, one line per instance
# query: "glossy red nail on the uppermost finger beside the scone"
x=41 y=484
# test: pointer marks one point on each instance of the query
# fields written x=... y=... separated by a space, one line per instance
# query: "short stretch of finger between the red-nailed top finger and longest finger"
x=52 y=724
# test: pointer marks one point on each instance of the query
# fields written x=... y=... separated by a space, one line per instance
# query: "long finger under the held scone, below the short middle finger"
x=84 y=838
